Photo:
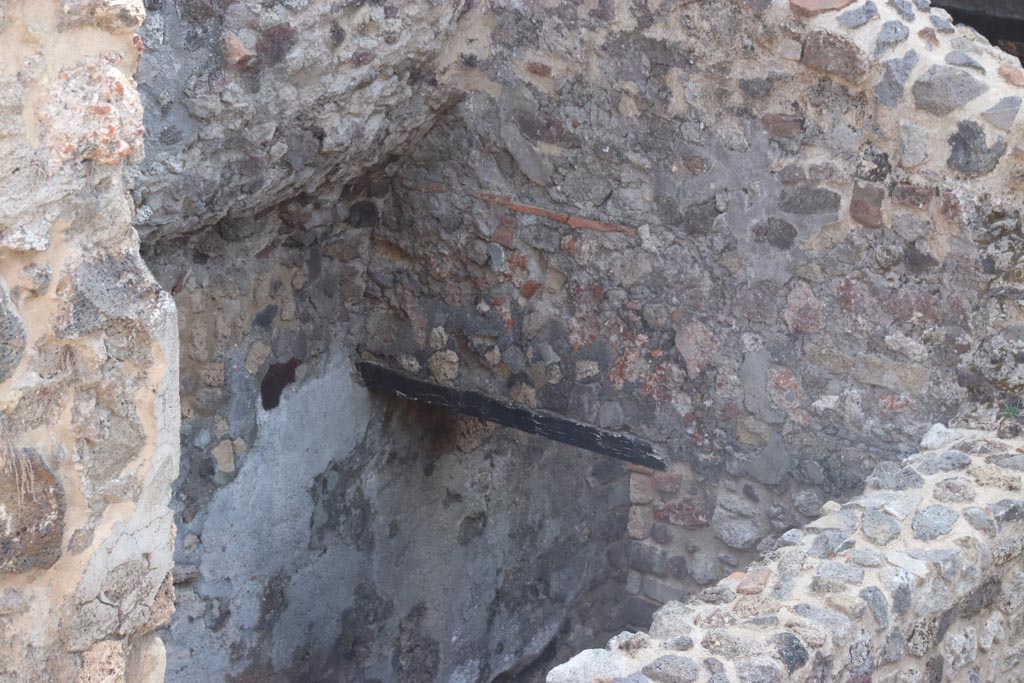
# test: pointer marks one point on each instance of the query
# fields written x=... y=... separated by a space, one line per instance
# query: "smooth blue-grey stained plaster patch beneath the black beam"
x=358 y=531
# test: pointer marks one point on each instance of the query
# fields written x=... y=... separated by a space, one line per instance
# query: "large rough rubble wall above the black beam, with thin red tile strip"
x=781 y=253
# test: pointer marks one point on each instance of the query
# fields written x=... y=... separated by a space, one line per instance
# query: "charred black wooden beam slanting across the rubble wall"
x=543 y=423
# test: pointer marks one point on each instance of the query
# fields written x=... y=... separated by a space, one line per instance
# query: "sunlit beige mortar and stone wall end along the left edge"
x=89 y=358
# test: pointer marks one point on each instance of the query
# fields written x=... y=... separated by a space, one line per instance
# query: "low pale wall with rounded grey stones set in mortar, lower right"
x=918 y=580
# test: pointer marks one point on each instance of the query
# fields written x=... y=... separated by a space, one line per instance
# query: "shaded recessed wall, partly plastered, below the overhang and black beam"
x=325 y=534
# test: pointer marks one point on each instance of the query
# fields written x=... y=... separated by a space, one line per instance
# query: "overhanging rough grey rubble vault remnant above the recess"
x=251 y=104
